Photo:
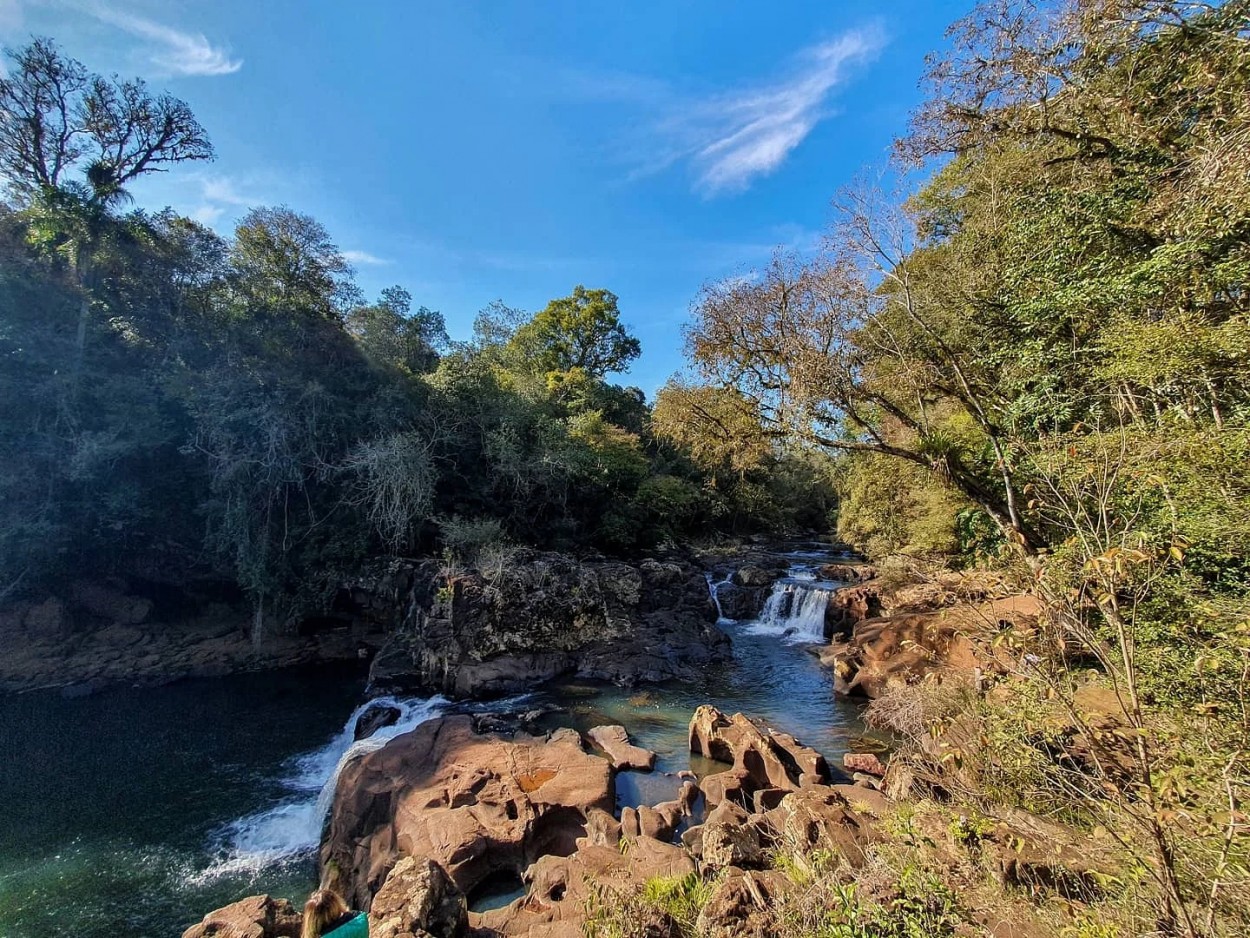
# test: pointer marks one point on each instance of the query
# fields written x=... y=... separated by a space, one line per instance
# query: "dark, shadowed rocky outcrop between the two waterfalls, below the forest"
x=547 y=616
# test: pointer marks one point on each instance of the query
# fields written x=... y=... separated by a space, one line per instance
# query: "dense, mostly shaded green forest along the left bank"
x=181 y=405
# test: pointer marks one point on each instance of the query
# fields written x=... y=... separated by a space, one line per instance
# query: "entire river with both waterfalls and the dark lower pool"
x=137 y=811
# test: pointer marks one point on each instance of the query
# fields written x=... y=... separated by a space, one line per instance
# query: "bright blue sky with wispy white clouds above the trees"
x=474 y=152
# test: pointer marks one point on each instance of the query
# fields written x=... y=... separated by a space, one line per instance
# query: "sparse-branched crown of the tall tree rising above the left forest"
x=56 y=118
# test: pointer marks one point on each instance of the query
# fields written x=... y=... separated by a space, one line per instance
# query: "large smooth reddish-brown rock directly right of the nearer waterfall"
x=473 y=805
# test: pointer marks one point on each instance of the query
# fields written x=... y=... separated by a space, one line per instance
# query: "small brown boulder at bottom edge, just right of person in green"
x=418 y=899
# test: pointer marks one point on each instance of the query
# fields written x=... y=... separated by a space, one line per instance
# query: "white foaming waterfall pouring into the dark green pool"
x=292 y=829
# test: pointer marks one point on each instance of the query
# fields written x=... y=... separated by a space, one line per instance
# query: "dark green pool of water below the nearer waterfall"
x=114 y=806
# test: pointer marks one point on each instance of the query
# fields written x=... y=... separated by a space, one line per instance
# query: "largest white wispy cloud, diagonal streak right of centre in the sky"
x=732 y=139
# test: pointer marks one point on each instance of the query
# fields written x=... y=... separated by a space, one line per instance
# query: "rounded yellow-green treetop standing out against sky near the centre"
x=578 y=332
